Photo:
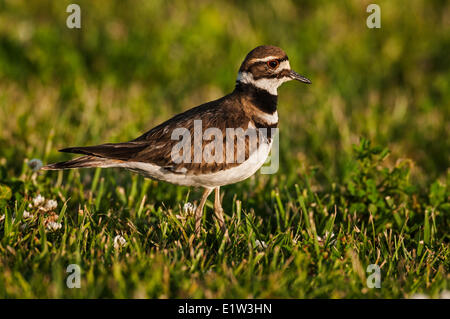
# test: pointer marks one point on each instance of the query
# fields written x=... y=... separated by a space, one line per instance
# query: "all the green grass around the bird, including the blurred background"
x=363 y=176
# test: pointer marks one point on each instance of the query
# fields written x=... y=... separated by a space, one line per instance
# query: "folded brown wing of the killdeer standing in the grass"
x=155 y=146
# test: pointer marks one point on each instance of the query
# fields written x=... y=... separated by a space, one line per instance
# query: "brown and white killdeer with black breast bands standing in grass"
x=251 y=107
